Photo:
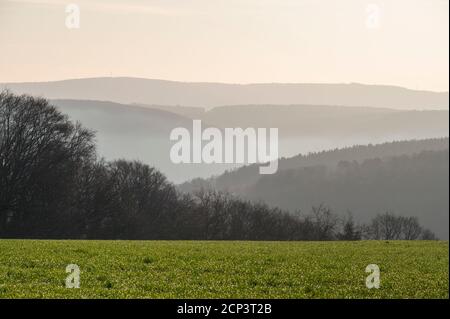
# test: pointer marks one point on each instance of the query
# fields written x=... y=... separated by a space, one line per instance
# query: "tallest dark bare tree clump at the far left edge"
x=41 y=152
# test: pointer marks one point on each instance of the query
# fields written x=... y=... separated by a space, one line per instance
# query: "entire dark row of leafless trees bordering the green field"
x=53 y=185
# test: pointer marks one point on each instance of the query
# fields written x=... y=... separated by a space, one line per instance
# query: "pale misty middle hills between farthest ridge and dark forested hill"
x=135 y=132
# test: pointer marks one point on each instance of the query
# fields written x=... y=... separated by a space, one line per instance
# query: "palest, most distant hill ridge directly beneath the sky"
x=161 y=92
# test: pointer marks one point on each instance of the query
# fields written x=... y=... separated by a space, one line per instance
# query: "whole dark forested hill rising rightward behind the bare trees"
x=409 y=178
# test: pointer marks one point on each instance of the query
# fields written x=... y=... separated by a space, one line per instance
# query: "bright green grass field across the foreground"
x=182 y=269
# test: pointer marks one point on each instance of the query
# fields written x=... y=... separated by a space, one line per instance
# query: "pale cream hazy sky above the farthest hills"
x=400 y=42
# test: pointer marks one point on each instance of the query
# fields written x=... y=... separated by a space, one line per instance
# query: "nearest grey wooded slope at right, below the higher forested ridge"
x=416 y=185
